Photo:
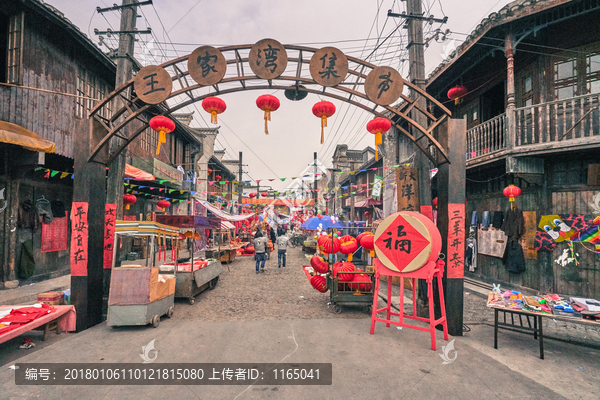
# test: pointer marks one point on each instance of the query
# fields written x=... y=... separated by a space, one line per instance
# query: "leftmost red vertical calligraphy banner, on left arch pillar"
x=79 y=236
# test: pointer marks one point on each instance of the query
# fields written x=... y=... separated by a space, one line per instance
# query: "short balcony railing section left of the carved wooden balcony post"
x=487 y=138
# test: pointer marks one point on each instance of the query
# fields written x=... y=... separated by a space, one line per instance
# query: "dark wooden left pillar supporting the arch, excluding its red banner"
x=89 y=186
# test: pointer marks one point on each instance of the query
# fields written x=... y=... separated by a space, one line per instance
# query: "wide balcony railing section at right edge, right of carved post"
x=561 y=120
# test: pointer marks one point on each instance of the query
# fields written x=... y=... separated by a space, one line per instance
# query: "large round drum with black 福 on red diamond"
x=406 y=241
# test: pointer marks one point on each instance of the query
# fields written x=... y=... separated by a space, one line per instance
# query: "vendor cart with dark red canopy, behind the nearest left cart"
x=198 y=274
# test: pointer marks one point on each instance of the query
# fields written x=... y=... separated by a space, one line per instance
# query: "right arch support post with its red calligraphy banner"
x=451 y=219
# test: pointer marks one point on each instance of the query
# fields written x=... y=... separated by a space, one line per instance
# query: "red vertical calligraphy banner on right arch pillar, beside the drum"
x=456 y=241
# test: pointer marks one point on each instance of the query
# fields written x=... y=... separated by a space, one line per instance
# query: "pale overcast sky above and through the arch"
x=357 y=27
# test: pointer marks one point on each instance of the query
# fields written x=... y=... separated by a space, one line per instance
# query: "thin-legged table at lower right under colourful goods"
x=519 y=326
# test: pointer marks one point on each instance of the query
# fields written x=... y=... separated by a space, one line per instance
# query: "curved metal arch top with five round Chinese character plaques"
x=210 y=71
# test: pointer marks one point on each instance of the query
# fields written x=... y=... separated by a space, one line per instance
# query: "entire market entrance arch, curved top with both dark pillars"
x=266 y=65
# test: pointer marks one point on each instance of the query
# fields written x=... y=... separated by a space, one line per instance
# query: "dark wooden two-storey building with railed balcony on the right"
x=532 y=78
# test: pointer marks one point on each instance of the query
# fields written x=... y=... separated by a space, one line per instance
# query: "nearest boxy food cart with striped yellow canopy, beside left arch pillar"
x=139 y=295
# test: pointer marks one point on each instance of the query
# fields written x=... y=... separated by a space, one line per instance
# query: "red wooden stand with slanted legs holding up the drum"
x=428 y=272
